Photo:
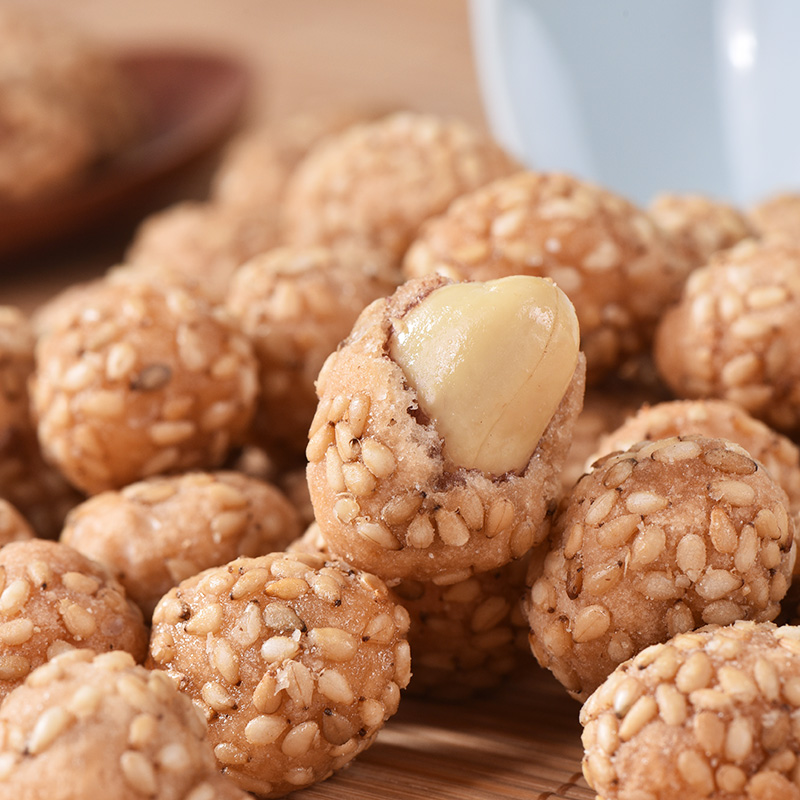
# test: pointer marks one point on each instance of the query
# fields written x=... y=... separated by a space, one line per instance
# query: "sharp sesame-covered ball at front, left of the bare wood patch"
x=296 y=661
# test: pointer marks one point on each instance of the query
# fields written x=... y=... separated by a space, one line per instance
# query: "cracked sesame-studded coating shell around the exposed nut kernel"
x=386 y=497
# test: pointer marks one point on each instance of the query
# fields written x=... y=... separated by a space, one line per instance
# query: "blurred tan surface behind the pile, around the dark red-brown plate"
x=301 y=55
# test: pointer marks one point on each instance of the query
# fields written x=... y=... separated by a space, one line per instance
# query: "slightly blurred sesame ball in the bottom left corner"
x=98 y=726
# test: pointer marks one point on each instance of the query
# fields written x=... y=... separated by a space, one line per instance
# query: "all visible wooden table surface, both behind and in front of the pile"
x=522 y=742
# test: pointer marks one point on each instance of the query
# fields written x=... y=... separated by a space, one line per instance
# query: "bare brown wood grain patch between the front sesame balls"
x=521 y=742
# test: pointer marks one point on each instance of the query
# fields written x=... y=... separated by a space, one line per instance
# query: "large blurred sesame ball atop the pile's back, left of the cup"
x=377 y=182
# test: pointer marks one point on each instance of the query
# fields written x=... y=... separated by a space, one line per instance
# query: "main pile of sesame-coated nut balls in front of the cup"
x=389 y=412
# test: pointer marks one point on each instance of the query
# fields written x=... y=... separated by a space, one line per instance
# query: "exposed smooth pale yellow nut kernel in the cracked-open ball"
x=490 y=363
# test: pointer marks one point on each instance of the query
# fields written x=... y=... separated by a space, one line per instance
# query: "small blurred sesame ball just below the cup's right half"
x=698 y=225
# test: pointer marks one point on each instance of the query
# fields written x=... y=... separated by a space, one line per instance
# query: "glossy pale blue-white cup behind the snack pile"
x=647 y=96
